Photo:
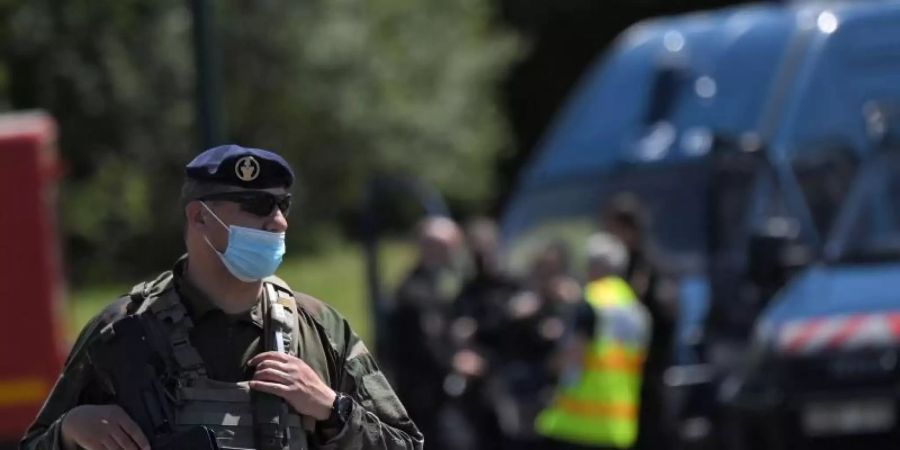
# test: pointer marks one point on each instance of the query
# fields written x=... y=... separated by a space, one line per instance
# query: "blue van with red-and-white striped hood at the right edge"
x=823 y=368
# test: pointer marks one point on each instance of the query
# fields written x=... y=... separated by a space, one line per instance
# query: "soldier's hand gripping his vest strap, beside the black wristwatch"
x=293 y=380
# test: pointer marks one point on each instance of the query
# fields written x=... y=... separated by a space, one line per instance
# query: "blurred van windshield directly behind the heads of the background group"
x=673 y=199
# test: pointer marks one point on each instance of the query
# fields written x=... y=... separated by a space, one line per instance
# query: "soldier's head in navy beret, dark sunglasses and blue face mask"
x=236 y=201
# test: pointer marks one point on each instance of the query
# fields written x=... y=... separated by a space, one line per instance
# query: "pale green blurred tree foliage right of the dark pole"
x=347 y=87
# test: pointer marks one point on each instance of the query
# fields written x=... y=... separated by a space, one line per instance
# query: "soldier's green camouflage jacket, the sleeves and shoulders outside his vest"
x=378 y=419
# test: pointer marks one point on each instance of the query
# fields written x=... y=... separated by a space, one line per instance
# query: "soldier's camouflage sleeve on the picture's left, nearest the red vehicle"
x=75 y=386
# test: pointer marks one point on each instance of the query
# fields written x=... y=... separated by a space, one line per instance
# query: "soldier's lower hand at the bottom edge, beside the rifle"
x=102 y=427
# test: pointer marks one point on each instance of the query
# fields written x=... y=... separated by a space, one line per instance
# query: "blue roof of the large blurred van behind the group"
x=725 y=71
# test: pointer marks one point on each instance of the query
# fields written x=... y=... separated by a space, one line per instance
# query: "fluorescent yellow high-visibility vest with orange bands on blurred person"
x=600 y=406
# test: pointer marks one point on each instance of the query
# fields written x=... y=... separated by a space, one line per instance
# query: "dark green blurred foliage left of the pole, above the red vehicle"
x=117 y=76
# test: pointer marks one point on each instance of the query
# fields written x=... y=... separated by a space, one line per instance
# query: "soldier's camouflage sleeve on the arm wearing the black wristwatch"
x=379 y=420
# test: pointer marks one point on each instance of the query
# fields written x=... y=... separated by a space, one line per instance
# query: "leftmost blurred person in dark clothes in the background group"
x=417 y=331
